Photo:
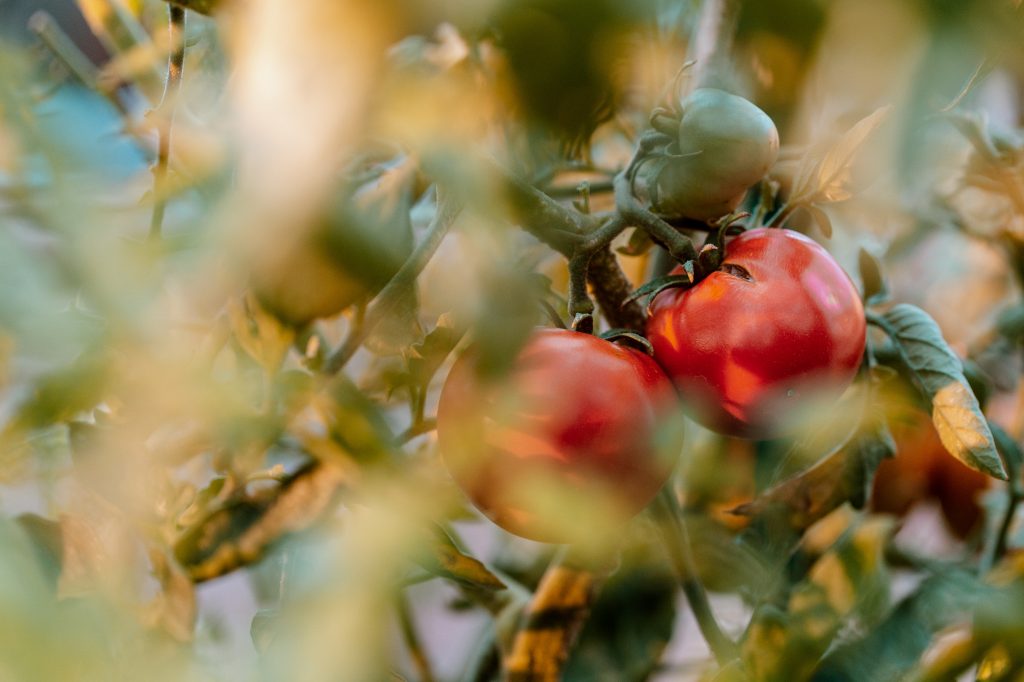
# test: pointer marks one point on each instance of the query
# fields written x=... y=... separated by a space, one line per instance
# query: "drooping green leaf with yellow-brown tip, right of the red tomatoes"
x=938 y=374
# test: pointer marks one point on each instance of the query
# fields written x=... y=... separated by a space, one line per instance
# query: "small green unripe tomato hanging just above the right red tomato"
x=727 y=145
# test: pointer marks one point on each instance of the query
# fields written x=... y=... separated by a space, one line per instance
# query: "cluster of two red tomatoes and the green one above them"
x=584 y=423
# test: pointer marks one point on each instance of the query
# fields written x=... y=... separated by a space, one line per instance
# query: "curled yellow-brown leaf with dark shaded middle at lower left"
x=242 y=531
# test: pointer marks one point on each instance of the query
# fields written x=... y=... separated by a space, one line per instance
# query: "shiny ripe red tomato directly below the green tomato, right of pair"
x=764 y=340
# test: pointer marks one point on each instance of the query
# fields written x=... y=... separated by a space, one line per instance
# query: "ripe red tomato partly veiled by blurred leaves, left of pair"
x=575 y=441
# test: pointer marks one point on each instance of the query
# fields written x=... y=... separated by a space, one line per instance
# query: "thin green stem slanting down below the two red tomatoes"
x=677 y=543
